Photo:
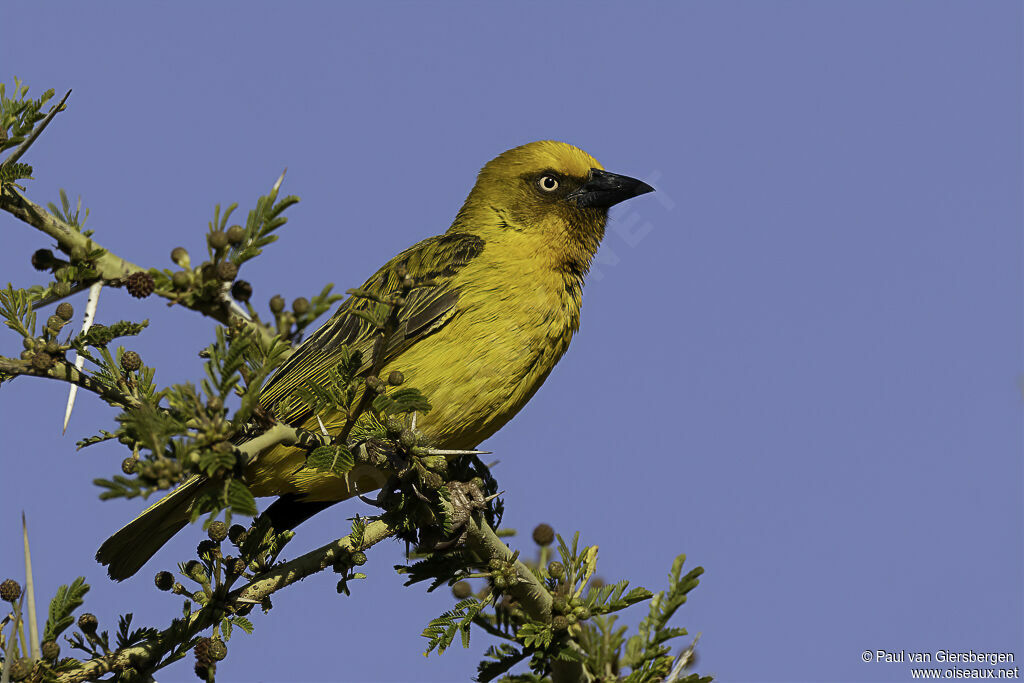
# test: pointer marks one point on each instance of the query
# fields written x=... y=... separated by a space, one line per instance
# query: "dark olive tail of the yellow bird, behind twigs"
x=126 y=552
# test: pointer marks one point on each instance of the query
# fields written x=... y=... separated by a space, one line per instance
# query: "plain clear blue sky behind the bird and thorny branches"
x=799 y=363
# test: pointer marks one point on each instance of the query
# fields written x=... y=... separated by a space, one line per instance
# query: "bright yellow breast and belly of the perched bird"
x=515 y=320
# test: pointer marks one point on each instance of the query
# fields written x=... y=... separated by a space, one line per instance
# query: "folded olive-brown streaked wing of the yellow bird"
x=435 y=261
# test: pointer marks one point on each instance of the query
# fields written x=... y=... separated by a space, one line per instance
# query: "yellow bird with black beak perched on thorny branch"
x=503 y=306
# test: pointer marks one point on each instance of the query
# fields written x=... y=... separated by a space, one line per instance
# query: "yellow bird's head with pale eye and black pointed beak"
x=548 y=189
